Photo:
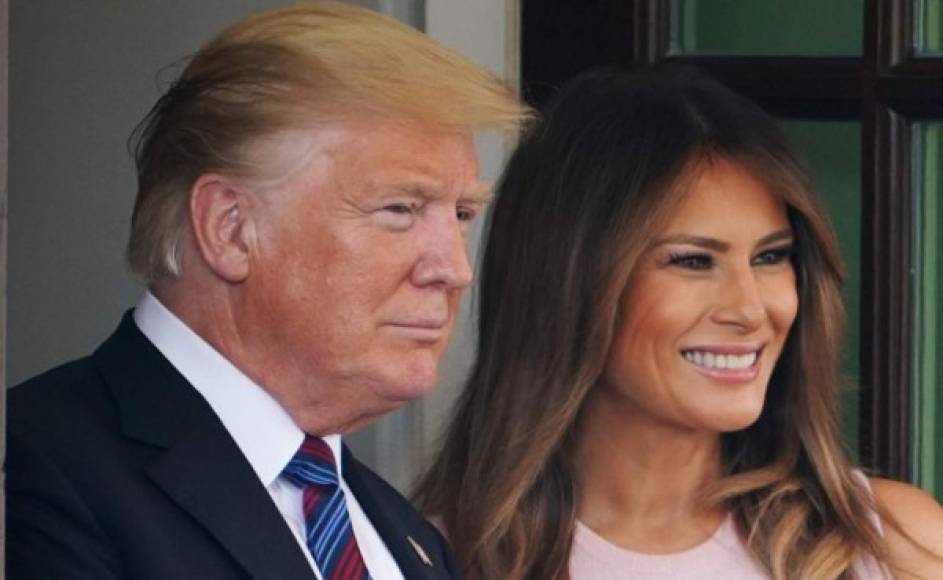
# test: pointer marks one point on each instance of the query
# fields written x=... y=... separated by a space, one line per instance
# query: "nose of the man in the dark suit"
x=443 y=259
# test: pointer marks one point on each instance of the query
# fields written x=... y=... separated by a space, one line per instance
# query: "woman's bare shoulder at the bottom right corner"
x=914 y=527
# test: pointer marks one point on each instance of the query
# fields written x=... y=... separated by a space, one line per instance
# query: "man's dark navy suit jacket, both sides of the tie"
x=118 y=469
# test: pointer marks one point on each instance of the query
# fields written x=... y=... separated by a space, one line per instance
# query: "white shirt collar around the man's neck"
x=261 y=428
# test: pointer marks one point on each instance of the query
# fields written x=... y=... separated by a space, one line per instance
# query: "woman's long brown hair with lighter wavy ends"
x=579 y=201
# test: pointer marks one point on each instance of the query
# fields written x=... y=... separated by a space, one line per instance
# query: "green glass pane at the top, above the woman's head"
x=767 y=27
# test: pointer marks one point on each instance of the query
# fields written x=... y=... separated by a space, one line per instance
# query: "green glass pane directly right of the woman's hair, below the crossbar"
x=832 y=151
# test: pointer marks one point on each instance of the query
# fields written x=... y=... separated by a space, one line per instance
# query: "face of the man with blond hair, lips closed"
x=359 y=262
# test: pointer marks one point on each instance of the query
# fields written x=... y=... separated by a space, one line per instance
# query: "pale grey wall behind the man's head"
x=82 y=75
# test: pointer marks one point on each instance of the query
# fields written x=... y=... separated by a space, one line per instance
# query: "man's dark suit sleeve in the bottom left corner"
x=50 y=531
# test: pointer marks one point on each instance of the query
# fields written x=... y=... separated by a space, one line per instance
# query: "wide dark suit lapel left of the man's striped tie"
x=202 y=469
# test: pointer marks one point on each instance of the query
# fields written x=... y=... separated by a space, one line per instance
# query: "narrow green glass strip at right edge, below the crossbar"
x=928 y=400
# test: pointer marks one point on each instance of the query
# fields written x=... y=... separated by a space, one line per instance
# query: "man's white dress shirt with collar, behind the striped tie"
x=260 y=427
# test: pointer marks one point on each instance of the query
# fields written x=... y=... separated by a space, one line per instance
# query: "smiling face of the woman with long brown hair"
x=708 y=309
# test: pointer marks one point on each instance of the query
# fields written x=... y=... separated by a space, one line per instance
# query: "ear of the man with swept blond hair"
x=221 y=222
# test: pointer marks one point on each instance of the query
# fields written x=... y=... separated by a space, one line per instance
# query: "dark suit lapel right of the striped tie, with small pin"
x=393 y=532
